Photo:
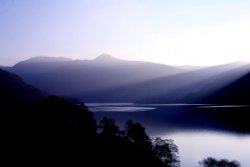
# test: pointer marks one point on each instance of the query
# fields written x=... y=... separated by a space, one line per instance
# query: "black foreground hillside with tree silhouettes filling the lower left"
x=57 y=132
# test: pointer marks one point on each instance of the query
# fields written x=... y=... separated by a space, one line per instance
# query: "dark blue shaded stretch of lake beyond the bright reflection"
x=169 y=117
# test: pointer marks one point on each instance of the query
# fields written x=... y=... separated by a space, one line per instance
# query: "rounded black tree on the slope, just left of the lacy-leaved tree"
x=135 y=132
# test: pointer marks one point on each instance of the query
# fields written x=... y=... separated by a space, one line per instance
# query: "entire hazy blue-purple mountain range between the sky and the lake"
x=108 y=79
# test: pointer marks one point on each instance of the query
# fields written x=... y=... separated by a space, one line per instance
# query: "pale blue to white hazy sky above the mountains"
x=199 y=32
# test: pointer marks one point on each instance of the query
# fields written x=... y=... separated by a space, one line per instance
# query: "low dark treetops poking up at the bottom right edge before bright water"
x=212 y=162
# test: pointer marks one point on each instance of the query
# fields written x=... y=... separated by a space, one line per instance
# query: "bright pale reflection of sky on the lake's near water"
x=196 y=145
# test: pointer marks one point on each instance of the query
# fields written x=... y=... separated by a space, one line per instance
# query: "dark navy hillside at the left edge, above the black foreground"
x=13 y=88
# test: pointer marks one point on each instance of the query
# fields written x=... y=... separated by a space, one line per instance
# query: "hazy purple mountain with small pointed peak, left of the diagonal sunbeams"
x=75 y=77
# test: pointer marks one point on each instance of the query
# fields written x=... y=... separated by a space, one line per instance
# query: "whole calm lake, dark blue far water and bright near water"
x=197 y=129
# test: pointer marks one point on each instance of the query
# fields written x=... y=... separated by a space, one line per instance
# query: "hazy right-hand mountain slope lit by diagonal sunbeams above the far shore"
x=186 y=87
